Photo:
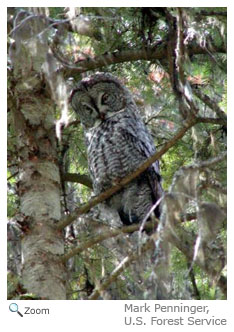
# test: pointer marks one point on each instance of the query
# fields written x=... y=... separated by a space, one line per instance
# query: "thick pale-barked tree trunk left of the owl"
x=32 y=113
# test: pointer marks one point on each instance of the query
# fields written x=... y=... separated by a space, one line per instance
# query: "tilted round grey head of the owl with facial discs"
x=99 y=97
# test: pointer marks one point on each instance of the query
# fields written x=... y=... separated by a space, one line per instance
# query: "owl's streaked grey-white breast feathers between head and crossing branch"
x=117 y=147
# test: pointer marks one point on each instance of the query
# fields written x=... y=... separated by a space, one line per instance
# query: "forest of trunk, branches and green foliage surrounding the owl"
x=60 y=245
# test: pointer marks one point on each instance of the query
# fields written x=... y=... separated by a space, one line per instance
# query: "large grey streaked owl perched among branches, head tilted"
x=117 y=143
